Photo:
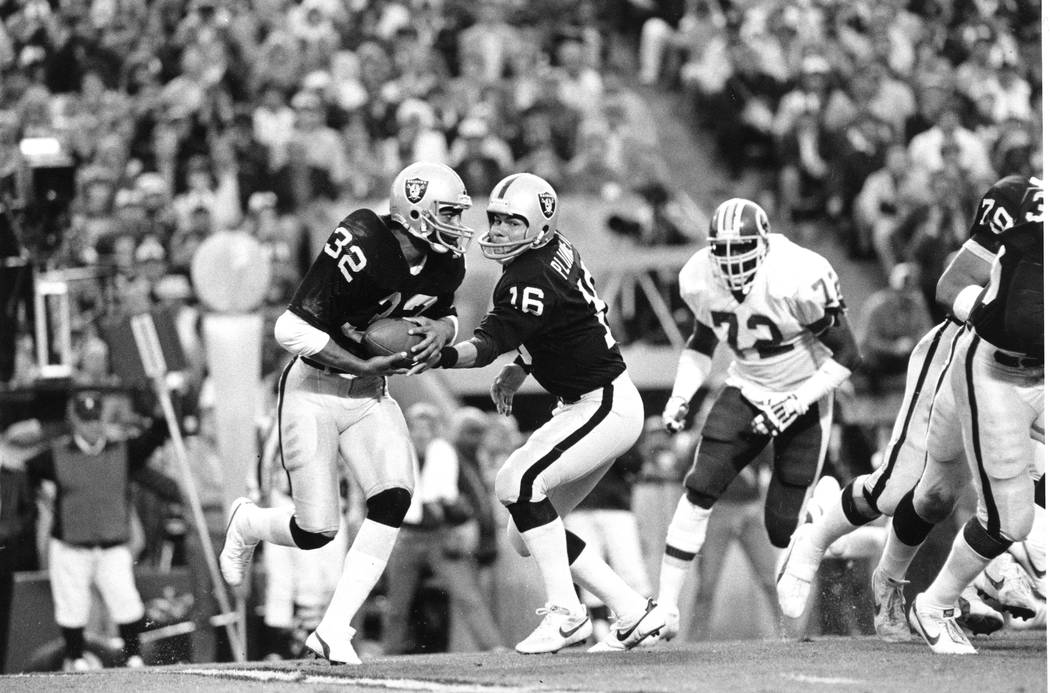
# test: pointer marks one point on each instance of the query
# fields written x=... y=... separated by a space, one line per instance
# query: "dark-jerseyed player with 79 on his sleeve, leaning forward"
x=884 y=491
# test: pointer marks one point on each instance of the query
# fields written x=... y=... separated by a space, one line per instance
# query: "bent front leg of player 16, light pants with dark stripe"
x=561 y=461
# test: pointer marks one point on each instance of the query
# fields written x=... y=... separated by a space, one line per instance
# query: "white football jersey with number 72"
x=773 y=350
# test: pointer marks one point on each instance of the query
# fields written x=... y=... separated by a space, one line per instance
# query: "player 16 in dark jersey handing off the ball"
x=545 y=307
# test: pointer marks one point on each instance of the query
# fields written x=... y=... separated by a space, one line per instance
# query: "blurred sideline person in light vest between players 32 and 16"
x=431 y=538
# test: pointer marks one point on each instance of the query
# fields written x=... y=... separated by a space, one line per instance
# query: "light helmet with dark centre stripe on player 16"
x=530 y=199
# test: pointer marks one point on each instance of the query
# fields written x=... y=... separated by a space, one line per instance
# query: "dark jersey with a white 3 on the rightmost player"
x=1011 y=312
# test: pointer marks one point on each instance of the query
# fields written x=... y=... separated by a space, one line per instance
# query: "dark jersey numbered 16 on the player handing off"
x=545 y=306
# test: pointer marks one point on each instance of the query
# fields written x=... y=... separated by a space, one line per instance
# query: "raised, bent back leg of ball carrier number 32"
x=308 y=412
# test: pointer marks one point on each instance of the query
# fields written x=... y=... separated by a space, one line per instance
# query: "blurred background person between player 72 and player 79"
x=892 y=323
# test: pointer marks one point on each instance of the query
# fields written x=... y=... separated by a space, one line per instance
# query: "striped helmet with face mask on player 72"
x=739 y=241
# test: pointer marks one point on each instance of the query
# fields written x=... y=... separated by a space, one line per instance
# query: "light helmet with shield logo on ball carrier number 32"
x=421 y=195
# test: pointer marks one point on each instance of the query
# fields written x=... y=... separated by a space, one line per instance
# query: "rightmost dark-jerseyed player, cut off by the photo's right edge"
x=984 y=411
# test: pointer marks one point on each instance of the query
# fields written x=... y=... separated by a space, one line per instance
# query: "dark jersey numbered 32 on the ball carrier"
x=362 y=276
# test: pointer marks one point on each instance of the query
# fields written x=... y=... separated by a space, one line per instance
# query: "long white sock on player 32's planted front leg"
x=362 y=570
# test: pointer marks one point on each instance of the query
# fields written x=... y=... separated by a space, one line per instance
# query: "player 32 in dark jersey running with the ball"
x=333 y=398
